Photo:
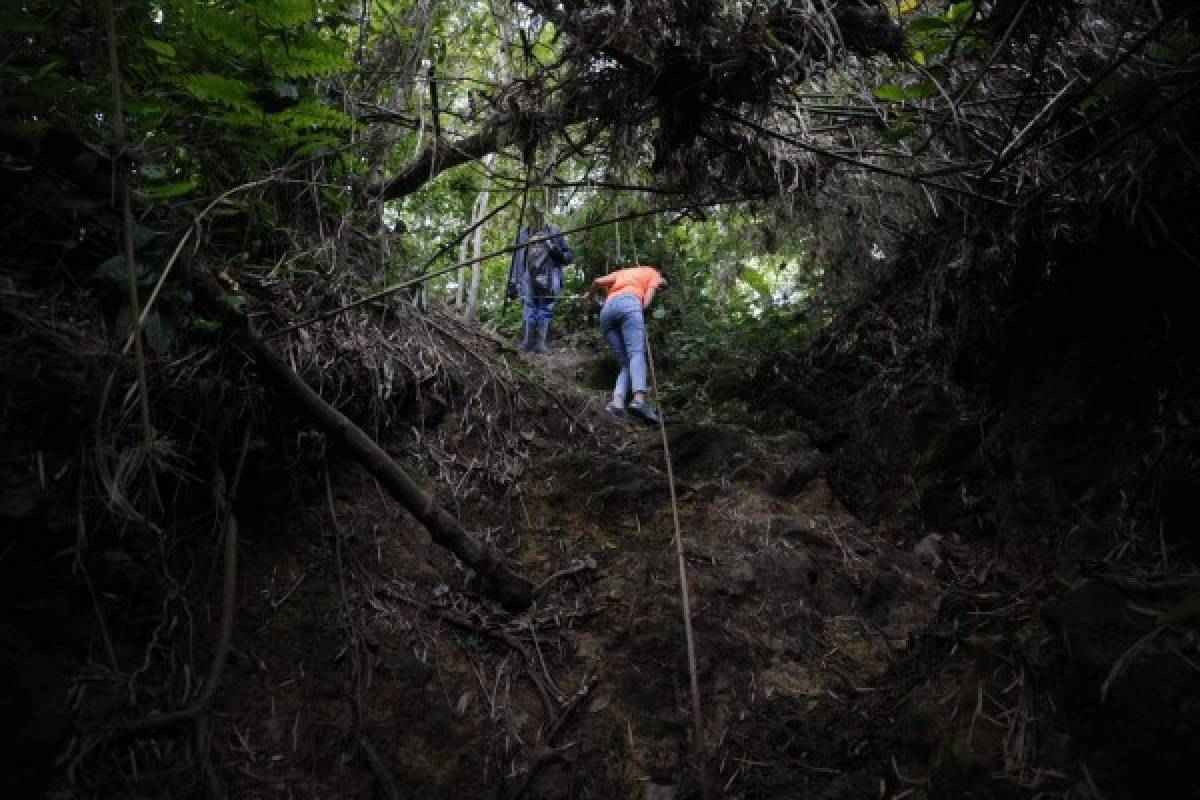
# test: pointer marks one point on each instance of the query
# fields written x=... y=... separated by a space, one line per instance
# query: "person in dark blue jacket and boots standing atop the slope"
x=537 y=278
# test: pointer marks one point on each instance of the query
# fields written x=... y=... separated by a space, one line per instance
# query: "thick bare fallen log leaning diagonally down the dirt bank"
x=513 y=592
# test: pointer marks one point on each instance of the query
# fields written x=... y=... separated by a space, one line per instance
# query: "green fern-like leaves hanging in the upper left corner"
x=215 y=94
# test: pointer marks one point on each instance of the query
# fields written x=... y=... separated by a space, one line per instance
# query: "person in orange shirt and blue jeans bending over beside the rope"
x=629 y=294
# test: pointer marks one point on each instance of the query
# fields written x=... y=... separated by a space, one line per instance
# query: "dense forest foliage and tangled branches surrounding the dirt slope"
x=943 y=237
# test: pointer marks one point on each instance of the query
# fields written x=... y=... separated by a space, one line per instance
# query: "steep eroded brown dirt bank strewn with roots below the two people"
x=837 y=658
